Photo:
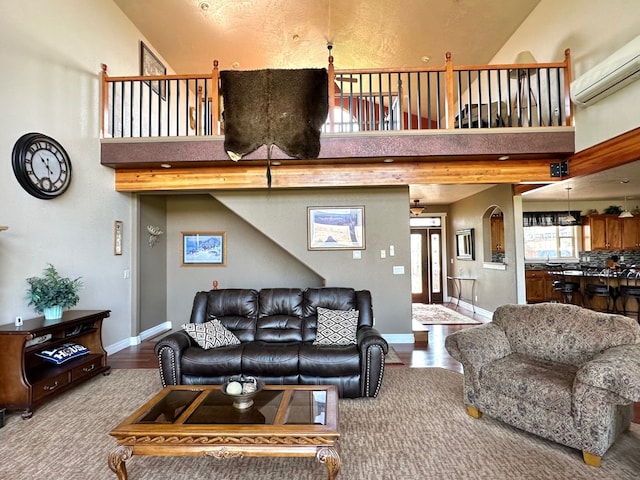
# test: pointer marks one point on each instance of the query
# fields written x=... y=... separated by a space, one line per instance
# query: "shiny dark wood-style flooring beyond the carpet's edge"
x=412 y=355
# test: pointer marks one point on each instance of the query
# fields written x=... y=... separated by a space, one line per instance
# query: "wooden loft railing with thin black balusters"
x=445 y=97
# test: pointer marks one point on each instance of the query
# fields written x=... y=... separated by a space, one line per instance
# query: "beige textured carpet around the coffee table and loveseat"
x=416 y=429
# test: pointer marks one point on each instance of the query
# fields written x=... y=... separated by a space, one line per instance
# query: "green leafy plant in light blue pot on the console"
x=51 y=293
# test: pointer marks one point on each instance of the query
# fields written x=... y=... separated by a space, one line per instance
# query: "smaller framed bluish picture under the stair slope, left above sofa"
x=204 y=249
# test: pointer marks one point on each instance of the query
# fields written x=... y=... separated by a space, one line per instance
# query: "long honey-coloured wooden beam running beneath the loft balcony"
x=323 y=175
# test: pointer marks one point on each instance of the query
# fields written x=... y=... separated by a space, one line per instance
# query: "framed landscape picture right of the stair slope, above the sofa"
x=335 y=228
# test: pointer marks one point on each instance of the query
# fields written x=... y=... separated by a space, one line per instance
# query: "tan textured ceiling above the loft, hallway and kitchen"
x=253 y=34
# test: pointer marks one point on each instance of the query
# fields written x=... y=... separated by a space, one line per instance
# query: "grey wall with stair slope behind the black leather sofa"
x=267 y=247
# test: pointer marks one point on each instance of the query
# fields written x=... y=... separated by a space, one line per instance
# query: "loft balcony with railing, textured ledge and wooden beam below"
x=398 y=126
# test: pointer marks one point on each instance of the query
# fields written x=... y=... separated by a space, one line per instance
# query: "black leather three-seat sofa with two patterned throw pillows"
x=281 y=335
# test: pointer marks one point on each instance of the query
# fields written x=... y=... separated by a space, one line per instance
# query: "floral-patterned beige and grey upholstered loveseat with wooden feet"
x=559 y=371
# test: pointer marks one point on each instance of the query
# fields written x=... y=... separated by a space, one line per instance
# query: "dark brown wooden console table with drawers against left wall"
x=26 y=380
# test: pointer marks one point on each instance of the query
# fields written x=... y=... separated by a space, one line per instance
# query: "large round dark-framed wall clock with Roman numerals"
x=41 y=165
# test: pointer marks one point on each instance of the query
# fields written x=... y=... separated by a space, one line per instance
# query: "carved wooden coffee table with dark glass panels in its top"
x=197 y=420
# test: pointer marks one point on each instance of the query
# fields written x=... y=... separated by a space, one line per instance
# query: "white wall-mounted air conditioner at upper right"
x=610 y=75
